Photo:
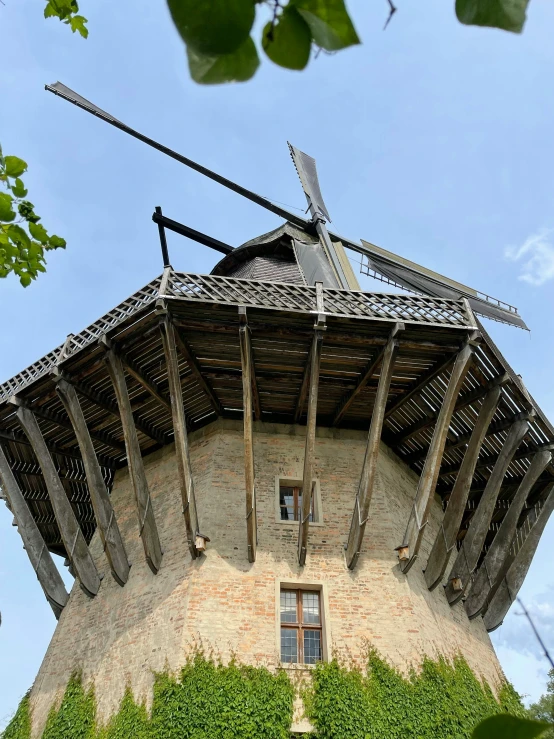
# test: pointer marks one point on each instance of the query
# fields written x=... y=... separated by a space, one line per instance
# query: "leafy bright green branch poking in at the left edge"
x=21 y=252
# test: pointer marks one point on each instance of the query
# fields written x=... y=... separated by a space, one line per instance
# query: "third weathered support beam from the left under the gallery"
x=101 y=503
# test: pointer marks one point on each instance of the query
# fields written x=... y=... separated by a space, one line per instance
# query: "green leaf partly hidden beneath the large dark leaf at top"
x=212 y=70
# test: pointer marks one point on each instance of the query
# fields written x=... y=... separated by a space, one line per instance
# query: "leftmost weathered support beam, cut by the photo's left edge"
x=35 y=546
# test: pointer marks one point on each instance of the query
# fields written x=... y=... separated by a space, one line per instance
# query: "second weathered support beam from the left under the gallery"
x=74 y=541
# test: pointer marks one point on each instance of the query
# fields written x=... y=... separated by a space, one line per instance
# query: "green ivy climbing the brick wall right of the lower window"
x=442 y=701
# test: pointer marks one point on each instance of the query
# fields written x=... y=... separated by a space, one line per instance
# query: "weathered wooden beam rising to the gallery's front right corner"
x=429 y=475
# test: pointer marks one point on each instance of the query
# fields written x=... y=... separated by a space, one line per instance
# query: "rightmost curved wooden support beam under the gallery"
x=518 y=562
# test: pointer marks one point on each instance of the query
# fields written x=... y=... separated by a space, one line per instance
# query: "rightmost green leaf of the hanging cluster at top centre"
x=329 y=23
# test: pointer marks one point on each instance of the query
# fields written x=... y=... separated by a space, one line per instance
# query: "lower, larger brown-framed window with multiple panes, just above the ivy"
x=301 y=632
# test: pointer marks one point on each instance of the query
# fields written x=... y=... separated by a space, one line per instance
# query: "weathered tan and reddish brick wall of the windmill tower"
x=124 y=634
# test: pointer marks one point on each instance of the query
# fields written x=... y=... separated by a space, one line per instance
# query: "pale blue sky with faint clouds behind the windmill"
x=433 y=140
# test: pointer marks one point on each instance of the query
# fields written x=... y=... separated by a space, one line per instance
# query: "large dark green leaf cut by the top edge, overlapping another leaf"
x=213 y=27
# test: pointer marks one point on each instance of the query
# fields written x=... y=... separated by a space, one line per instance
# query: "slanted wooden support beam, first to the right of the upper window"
x=365 y=488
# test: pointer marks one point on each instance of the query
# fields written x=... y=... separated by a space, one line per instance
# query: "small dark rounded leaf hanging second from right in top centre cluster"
x=289 y=42
